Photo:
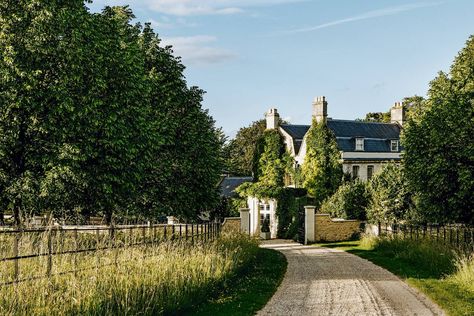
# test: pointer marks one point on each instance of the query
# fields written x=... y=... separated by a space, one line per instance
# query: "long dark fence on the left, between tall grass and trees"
x=31 y=254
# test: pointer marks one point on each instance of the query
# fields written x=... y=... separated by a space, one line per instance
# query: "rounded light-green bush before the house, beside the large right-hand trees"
x=390 y=198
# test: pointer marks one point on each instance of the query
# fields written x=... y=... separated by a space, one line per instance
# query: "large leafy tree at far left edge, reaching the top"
x=35 y=38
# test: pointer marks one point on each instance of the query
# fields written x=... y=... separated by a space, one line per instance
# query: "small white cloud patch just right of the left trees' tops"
x=198 y=50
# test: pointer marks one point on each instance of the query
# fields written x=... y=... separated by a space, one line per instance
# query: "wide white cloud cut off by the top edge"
x=198 y=7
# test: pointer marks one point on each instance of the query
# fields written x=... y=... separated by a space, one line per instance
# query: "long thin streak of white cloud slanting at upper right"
x=370 y=15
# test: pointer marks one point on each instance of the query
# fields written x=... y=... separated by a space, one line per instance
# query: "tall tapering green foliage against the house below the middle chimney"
x=322 y=171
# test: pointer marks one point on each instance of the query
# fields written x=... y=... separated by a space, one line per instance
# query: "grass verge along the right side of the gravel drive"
x=438 y=272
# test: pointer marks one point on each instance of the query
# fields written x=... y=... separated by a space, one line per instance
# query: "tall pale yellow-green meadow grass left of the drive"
x=165 y=278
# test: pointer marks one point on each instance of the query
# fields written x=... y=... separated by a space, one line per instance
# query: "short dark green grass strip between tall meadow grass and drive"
x=250 y=290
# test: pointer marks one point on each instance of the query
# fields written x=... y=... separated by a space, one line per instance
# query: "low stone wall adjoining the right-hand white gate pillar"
x=327 y=229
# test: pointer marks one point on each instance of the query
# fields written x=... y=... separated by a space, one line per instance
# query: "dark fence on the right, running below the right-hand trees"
x=458 y=236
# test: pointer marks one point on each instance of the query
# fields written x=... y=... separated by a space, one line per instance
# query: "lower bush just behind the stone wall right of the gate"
x=349 y=202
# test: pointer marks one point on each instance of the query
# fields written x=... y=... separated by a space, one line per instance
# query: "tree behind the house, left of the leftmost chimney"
x=241 y=152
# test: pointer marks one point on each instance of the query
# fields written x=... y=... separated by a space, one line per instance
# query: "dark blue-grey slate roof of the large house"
x=376 y=136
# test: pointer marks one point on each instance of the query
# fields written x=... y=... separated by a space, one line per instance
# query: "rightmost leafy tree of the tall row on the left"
x=186 y=153
